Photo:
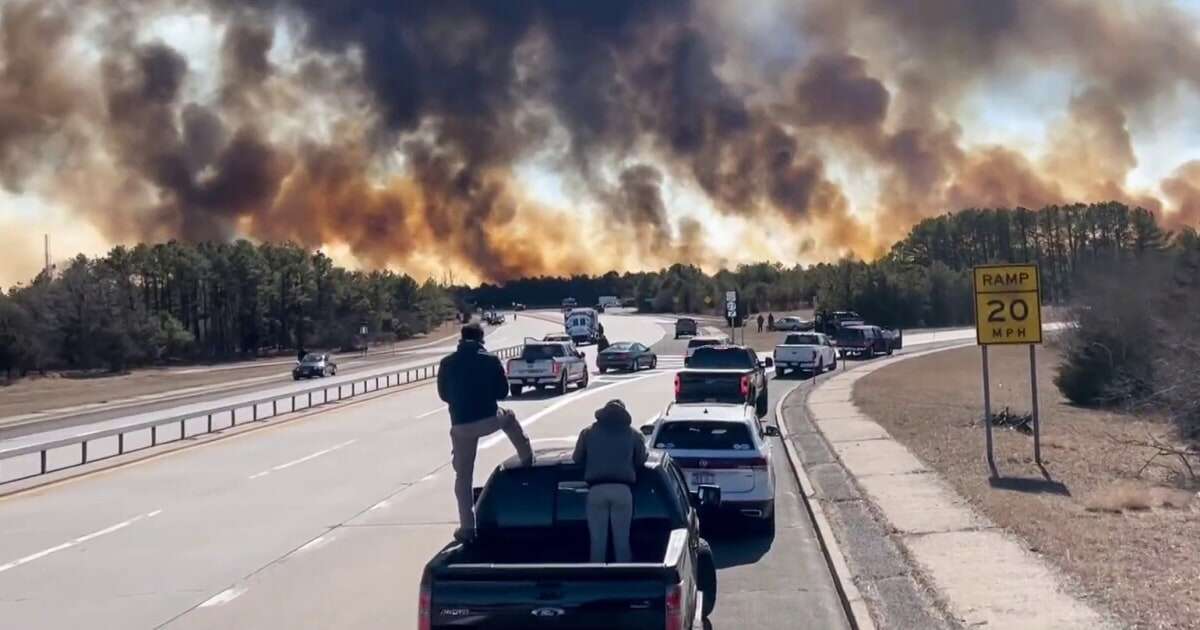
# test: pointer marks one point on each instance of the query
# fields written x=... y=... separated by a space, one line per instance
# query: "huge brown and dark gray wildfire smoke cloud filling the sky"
x=407 y=131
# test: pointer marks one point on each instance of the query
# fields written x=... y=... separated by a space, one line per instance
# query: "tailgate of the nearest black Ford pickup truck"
x=577 y=603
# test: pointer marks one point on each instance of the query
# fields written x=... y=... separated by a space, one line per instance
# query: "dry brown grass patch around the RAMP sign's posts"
x=1130 y=541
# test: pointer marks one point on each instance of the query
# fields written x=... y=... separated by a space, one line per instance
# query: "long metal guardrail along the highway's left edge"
x=213 y=417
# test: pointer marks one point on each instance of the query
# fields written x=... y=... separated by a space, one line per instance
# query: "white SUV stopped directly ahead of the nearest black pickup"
x=723 y=446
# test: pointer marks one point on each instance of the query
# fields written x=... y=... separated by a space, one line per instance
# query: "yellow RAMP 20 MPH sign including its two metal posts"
x=1009 y=311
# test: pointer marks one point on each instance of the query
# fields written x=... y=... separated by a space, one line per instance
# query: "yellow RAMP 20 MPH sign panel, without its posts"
x=1007 y=304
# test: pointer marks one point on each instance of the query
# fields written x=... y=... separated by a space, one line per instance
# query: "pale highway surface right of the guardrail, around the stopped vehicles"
x=327 y=521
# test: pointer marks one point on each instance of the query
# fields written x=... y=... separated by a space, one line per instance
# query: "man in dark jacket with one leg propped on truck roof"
x=470 y=382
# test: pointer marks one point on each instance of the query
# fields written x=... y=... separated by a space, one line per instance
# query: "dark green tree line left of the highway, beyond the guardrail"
x=209 y=301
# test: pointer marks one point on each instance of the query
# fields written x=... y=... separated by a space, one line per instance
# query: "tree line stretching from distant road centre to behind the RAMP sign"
x=923 y=281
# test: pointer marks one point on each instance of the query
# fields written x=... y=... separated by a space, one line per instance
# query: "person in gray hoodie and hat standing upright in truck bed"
x=611 y=453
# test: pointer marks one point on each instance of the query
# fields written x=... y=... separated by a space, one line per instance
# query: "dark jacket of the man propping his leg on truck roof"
x=471 y=381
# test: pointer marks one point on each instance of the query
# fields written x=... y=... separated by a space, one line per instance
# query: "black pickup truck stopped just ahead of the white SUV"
x=725 y=374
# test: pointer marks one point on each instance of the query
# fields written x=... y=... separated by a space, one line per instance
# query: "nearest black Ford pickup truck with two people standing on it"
x=527 y=568
